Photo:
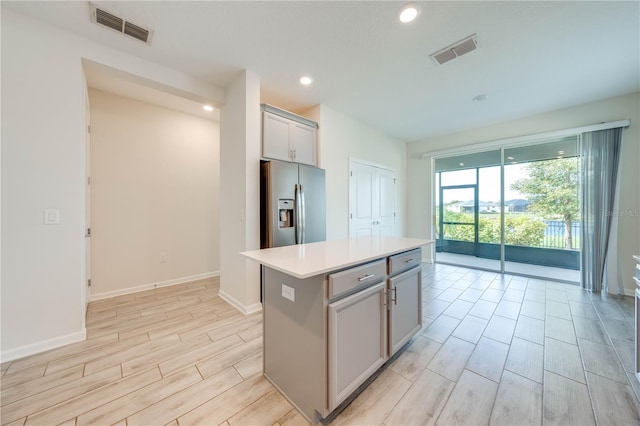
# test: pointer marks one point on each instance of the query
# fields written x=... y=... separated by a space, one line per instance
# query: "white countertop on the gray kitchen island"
x=307 y=260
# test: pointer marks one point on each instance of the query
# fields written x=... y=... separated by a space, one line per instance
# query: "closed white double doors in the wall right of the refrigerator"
x=372 y=198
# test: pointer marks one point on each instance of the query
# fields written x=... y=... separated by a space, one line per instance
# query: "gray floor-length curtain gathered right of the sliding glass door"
x=600 y=158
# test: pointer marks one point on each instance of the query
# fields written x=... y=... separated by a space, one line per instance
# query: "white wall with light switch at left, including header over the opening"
x=43 y=167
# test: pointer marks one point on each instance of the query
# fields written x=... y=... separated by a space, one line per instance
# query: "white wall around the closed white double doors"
x=342 y=137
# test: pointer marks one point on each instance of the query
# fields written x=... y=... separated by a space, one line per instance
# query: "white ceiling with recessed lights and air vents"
x=533 y=56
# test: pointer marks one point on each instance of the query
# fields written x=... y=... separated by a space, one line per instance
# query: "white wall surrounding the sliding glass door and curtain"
x=623 y=107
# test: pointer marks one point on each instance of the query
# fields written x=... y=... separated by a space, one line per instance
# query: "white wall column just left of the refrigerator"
x=240 y=125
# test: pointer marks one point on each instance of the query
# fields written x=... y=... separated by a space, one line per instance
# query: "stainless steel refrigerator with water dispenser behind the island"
x=292 y=202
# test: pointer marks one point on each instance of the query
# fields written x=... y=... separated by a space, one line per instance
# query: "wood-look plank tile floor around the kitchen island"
x=494 y=350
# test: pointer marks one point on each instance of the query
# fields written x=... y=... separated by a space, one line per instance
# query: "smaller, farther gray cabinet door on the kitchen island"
x=405 y=307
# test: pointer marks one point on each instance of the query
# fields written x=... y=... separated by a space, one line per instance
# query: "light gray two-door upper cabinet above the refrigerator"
x=288 y=137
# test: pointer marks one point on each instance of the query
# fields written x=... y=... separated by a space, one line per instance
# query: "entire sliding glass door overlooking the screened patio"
x=513 y=210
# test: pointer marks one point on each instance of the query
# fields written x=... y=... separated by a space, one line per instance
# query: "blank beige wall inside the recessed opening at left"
x=154 y=198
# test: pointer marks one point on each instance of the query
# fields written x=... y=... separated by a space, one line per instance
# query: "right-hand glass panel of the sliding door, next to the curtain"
x=546 y=176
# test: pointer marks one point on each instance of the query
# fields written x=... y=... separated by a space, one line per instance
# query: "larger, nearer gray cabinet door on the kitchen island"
x=357 y=341
